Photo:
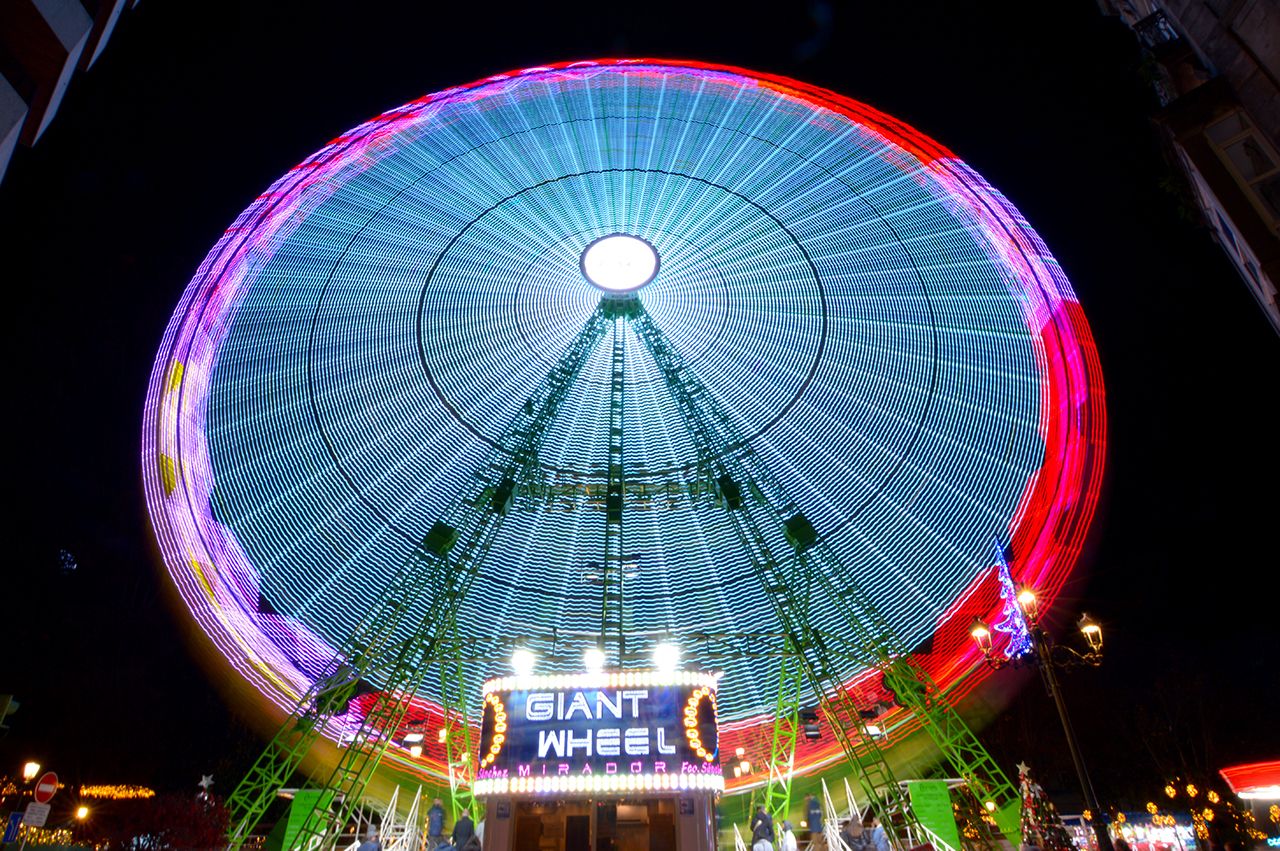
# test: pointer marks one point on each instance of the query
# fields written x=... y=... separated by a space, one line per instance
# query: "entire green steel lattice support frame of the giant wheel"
x=766 y=521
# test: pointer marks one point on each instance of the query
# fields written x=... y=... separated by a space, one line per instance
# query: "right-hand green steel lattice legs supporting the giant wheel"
x=767 y=521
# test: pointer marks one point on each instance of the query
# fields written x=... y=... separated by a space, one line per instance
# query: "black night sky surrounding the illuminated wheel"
x=191 y=113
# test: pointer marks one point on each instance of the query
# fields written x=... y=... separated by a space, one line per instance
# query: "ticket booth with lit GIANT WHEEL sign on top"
x=601 y=762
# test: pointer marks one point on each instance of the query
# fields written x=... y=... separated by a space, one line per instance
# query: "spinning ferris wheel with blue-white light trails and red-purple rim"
x=673 y=309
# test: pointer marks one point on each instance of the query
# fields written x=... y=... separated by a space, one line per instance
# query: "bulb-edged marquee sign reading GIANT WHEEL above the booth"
x=607 y=733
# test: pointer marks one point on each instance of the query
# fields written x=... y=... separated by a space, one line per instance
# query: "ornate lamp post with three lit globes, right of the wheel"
x=1049 y=657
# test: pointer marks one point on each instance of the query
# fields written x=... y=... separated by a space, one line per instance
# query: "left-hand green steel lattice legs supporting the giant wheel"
x=440 y=571
